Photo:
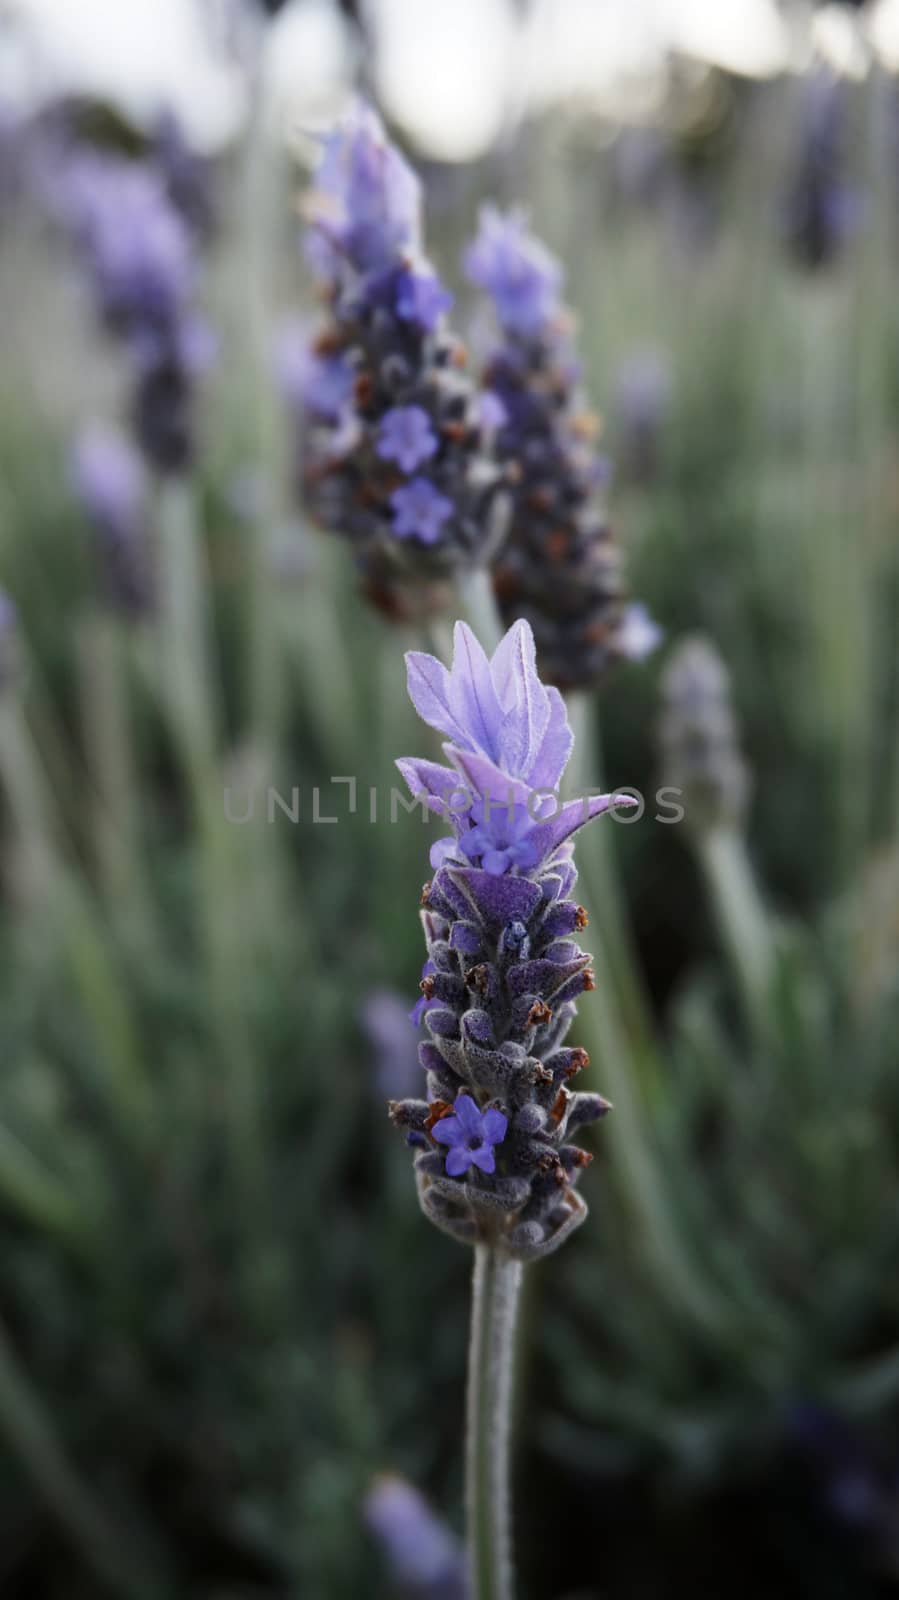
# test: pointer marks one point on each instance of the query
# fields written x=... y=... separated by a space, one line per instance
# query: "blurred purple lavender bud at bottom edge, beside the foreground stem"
x=423 y=1554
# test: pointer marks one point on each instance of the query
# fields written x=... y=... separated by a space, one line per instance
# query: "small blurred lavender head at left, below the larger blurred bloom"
x=111 y=484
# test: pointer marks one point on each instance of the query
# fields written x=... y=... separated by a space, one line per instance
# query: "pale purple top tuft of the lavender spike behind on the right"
x=516 y=270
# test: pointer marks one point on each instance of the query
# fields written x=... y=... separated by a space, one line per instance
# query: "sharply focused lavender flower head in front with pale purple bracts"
x=503 y=970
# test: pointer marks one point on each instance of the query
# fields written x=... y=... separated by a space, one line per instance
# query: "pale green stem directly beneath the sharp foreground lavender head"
x=495 y=1302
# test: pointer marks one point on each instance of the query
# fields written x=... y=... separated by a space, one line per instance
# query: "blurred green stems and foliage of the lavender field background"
x=222 y=1313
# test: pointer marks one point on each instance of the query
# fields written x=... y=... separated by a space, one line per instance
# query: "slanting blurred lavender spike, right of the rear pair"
x=561 y=569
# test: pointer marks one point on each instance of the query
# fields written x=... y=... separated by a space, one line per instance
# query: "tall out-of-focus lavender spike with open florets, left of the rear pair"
x=398 y=455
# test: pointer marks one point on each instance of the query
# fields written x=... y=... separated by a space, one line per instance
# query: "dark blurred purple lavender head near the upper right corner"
x=823 y=209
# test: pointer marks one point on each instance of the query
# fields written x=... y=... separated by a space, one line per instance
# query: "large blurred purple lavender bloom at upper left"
x=143 y=266
